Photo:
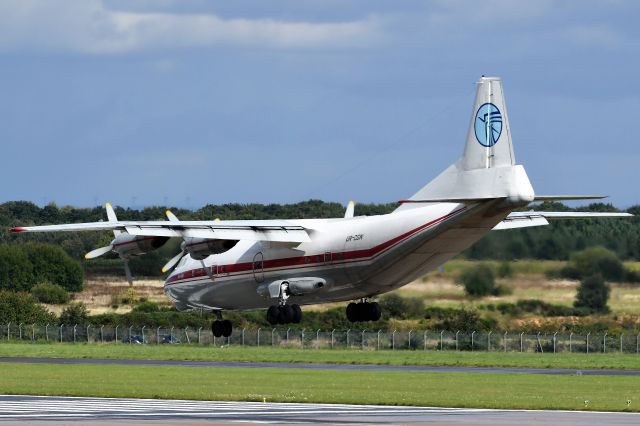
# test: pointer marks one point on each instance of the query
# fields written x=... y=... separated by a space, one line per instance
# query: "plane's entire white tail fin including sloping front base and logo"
x=487 y=168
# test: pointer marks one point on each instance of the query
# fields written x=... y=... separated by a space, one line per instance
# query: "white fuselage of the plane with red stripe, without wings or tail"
x=358 y=257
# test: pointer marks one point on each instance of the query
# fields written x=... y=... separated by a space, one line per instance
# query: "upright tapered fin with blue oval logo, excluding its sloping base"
x=489 y=135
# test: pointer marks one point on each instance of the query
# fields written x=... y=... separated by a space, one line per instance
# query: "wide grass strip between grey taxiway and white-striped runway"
x=354 y=387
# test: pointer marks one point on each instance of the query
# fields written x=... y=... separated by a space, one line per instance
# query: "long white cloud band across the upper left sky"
x=87 y=26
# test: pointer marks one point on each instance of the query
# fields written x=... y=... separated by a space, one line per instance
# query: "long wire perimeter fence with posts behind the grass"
x=334 y=339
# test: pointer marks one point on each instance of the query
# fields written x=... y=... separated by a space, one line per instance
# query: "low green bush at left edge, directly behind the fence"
x=22 y=307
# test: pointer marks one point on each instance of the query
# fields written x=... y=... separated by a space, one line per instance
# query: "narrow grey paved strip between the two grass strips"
x=314 y=366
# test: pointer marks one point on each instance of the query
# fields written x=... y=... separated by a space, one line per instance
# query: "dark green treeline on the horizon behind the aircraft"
x=554 y=242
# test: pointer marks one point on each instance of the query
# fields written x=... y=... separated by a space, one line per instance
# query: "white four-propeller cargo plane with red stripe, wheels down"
x=282 y=264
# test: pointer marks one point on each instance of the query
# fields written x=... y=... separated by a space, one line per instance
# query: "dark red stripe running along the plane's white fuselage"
x=311 y=260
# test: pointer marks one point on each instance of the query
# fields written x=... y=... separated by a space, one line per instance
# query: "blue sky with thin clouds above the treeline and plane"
x=194 y=102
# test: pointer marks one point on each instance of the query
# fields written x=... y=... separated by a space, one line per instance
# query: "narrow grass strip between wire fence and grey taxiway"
x=291 y=355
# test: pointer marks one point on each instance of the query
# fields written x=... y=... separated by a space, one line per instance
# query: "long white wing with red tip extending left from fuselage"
x=254 y=230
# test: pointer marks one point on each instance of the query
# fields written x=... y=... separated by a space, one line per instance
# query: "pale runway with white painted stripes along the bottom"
x=43 y=409
